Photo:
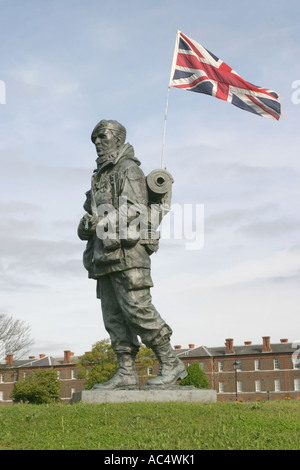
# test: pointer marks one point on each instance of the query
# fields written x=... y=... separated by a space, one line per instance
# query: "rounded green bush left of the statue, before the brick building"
x=39 y=387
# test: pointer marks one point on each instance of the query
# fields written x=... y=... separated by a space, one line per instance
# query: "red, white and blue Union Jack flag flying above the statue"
x=196 y=69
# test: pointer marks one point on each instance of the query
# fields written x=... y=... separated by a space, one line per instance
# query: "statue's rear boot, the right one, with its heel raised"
x=171 y=368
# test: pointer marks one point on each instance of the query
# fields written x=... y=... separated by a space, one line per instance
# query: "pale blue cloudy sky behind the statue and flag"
x=67 y=64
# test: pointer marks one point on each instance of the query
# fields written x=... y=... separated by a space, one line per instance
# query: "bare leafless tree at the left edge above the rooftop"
x=14 y=336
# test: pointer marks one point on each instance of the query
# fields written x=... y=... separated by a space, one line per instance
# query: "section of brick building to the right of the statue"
x=249 y=372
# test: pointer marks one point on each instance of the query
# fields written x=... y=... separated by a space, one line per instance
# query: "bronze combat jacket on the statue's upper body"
x=120 y=179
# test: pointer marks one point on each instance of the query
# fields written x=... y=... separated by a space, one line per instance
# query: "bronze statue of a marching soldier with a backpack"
x=119 y=227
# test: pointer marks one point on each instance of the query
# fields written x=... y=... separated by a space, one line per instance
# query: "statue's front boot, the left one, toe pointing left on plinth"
x=125 y=376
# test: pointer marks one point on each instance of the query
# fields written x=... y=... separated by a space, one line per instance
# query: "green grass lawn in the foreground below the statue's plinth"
x=152 y=426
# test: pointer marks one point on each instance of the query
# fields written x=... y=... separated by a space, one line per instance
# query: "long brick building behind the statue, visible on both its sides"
x=249 y=372
